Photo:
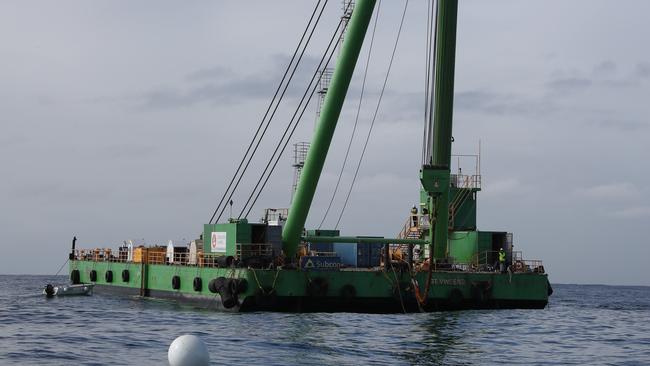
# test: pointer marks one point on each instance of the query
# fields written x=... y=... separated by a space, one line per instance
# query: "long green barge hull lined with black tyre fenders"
x=365 y=291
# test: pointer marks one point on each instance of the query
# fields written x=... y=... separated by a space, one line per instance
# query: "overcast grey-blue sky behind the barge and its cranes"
x=126 y=120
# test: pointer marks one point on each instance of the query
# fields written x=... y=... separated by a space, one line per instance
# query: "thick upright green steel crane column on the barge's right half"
x=443 y=116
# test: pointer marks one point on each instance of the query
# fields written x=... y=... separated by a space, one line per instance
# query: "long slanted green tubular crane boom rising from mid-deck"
x=330 y=112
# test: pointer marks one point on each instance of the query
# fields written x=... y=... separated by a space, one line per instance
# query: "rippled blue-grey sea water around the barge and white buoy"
x=584 y=325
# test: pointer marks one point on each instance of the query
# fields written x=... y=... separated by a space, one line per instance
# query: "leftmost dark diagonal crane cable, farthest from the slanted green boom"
x=225 y=201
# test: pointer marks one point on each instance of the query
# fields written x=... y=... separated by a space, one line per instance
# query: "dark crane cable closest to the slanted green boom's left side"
x=275 y=156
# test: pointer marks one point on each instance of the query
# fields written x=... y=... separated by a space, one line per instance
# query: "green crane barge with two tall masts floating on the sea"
x=438 y=261
